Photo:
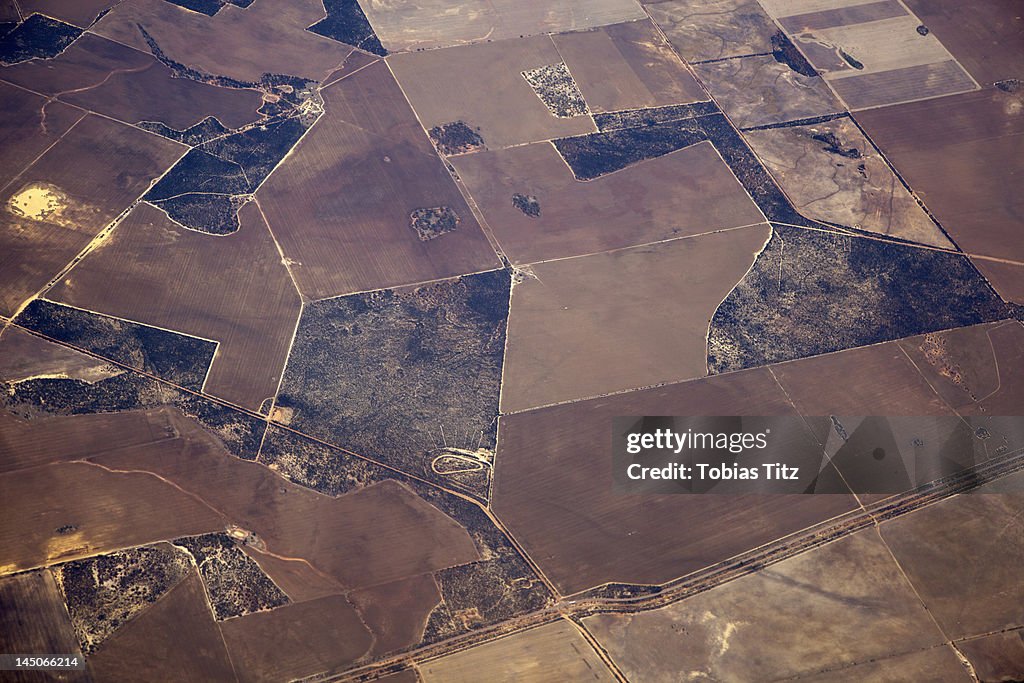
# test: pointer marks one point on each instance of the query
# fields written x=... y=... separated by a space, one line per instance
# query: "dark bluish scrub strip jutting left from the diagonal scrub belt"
x=600 y=154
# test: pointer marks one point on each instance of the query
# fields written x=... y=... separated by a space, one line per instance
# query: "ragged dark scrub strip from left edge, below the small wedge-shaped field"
x=239 y=433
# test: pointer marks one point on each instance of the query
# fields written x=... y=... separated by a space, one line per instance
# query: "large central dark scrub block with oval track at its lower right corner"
x=398 y=376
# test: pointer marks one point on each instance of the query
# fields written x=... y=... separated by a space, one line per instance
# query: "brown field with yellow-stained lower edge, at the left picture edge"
x=74 y=510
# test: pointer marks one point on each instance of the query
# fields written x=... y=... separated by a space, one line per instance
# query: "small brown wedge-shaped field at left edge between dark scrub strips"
x=24 y=356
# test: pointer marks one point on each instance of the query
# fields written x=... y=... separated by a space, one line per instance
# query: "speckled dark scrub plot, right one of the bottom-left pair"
x=235 y=583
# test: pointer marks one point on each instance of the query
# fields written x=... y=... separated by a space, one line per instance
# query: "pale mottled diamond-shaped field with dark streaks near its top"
x=861 y=192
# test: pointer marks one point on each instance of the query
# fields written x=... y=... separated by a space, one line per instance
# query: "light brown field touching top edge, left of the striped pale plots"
x=715 y=30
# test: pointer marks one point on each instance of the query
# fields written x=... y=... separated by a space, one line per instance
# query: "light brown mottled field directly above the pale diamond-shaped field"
x=755 y=92
